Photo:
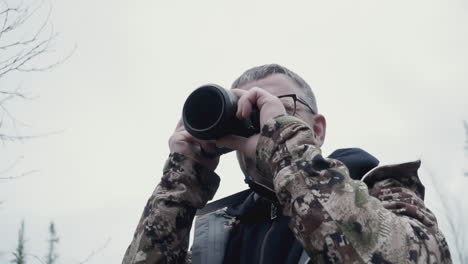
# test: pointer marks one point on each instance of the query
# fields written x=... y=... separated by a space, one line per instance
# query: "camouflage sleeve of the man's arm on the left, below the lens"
x=162 y=235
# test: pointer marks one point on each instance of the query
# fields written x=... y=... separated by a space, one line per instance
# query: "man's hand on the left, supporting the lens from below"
x=199 y=150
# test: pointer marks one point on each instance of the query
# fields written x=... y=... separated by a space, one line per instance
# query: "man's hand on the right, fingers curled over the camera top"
x=269 y=105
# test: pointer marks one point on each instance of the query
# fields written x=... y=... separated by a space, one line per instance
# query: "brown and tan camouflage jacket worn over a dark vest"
x=381 y=219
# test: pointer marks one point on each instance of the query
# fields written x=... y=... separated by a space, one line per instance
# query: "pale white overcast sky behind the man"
x=390 y=76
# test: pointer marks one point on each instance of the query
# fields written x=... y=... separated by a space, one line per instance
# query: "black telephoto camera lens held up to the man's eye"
x=210 y=113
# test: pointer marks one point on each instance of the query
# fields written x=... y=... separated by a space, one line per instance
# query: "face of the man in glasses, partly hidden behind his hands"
x=280 y=84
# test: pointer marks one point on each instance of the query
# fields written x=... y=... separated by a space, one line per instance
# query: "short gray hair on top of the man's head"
x=263 y=71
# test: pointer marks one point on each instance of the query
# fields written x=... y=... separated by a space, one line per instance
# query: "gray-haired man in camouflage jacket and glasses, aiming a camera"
x=325 y=210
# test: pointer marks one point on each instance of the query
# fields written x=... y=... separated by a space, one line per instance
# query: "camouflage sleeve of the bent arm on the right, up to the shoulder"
x=333 y=216
